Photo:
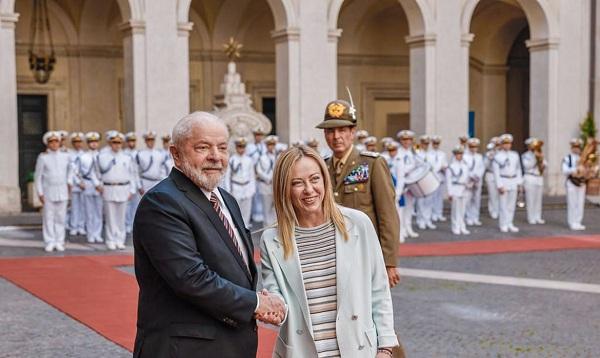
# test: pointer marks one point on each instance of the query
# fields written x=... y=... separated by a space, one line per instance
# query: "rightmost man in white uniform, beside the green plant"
x=575 y=188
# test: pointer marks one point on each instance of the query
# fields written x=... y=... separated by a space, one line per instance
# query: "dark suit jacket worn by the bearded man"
x=196 y=297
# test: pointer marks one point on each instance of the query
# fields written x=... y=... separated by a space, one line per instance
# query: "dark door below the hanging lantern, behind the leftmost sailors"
x=33 y=123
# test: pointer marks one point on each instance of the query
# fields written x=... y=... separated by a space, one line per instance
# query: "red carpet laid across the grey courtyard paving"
x=92 y=291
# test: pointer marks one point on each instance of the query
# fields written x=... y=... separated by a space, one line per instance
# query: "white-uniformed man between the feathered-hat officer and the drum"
x=407 y=162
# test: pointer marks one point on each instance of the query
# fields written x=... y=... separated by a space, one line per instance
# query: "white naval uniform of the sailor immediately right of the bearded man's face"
x=240 y=181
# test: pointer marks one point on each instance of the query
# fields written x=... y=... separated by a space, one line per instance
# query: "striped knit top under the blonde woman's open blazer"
x=316 y=249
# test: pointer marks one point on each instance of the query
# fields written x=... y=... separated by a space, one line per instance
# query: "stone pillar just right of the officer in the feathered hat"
x=422 y=82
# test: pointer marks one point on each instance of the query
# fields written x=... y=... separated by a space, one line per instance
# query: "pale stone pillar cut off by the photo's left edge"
x=10 y=194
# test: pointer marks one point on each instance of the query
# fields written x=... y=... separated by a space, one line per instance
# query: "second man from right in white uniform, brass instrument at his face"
x=534 y=165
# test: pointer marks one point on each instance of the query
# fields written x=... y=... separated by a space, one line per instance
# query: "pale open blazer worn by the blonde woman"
x=365 y=319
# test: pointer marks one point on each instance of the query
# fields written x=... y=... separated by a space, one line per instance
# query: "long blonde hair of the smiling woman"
x=282 y=182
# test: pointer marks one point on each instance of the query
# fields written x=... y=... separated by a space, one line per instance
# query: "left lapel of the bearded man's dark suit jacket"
x=199 y=199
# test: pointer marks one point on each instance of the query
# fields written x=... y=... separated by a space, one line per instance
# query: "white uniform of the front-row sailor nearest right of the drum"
x=457 y=177
